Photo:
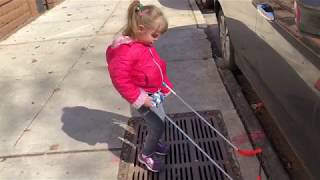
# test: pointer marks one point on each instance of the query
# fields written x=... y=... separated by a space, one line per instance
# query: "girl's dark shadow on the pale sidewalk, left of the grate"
x=95 y=126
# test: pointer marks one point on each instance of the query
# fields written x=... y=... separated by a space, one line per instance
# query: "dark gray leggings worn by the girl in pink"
x=154 y=118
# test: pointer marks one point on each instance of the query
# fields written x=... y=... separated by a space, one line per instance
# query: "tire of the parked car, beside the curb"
x=227 y=50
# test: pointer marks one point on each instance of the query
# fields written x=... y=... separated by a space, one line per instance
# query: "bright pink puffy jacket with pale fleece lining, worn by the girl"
x=136 y=69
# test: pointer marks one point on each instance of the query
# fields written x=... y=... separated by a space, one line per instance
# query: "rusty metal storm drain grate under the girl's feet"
x=184 y=161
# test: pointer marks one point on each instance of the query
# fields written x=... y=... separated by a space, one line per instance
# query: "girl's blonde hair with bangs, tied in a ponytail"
x=149 y=16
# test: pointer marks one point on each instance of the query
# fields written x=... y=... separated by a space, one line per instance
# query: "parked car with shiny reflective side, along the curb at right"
x=281 y=62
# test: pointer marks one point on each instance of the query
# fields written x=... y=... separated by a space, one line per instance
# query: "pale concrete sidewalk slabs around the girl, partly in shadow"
x=61 y=117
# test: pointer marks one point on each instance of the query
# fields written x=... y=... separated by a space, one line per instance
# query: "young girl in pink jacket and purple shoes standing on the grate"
x=138 y=74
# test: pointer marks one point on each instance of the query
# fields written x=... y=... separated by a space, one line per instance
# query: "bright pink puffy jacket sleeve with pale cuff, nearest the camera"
x=119 y=69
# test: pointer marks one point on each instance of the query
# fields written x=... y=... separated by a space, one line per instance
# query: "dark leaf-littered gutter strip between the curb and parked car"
x=270 y=161
